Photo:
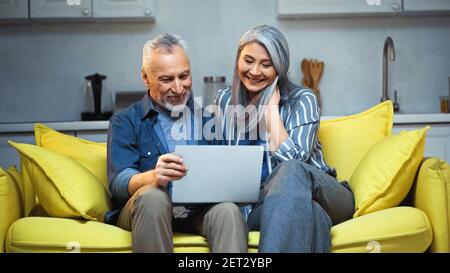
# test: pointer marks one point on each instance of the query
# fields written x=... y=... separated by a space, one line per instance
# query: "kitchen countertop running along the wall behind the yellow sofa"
x=103 y=125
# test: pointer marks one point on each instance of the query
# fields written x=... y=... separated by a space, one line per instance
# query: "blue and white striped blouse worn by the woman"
x=300 y=114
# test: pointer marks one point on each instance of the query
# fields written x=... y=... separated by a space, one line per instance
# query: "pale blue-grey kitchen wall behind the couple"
x=42 y=67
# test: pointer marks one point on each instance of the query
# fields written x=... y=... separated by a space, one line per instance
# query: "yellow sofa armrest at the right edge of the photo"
x=432 y=195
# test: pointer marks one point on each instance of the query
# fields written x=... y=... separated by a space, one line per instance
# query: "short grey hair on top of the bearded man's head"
x=166 y=42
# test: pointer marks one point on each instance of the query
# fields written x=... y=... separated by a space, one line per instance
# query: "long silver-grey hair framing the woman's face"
x=277 y=47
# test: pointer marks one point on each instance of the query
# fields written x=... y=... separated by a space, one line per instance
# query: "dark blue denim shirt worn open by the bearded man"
x=135 y=142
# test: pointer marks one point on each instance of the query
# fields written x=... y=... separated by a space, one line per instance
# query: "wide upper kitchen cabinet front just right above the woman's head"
x=337 y=8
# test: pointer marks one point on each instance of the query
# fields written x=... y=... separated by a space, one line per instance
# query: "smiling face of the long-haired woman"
x=255 y=68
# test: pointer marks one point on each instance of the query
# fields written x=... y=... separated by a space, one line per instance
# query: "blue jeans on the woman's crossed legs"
x=298 y=206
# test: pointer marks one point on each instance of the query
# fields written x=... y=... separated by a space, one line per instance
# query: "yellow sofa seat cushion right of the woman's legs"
x=399 y=229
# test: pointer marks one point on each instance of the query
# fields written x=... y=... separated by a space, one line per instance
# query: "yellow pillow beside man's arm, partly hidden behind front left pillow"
x=91 y=155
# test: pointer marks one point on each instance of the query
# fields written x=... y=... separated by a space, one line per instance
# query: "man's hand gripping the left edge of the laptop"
x=168 y=168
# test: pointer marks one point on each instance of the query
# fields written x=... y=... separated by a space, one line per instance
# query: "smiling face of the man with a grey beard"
x=168 y=77
